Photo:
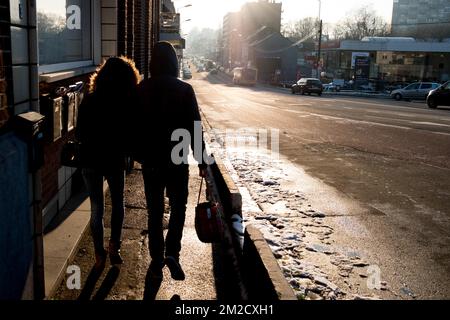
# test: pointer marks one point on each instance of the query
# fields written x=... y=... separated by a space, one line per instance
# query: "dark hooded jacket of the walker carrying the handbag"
x=166 y=104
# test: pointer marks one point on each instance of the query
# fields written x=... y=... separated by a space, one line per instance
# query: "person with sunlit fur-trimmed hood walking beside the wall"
x=103 y=129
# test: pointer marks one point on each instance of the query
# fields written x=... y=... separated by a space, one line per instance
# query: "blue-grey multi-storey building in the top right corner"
x=421 y=19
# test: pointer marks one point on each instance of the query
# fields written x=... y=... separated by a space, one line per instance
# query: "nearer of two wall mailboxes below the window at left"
x=51 y=108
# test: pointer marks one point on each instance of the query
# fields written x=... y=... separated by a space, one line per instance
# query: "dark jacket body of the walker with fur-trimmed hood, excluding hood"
x=103 y=131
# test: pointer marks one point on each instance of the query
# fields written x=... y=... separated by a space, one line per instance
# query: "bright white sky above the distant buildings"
x=209 y=13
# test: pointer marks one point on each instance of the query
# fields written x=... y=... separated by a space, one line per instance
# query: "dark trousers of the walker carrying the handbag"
x=175 y=180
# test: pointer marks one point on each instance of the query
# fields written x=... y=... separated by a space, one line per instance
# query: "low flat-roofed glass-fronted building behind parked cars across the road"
x=391 y=59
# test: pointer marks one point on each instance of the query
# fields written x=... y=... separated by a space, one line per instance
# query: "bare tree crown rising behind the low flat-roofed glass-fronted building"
x=360 y=23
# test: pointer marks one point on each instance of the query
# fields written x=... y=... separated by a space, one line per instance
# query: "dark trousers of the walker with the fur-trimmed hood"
x=94 y=184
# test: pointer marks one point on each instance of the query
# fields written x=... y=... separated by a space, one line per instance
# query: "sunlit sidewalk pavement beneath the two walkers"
x=200 y=261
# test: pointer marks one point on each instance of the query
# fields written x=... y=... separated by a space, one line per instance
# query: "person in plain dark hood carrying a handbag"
x=167 y=105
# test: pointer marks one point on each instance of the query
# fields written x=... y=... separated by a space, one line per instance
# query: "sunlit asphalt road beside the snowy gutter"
x=388 y=161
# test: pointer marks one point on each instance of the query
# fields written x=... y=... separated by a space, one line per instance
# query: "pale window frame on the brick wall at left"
x=64 y=66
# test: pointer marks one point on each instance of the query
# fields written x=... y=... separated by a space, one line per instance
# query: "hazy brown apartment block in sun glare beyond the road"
x=251 y=37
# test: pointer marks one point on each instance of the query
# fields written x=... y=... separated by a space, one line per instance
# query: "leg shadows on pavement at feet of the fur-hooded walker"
x=105 y=287
